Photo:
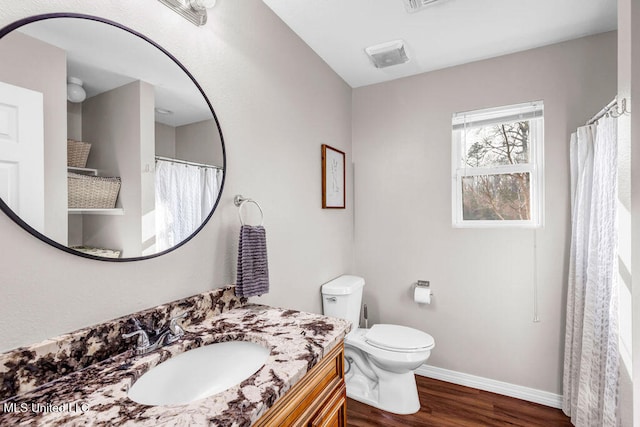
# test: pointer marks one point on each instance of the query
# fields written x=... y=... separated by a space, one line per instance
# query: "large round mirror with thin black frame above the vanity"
x=109 y=148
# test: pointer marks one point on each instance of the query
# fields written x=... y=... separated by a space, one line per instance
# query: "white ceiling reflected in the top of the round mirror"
x=105 y=57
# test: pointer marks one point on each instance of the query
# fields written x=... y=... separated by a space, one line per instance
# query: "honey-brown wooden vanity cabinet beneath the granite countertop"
x=319 y=399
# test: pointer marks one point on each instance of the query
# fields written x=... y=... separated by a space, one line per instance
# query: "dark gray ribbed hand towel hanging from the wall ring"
x=253 y=270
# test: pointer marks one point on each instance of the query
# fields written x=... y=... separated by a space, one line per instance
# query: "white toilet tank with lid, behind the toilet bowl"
x=342 y=297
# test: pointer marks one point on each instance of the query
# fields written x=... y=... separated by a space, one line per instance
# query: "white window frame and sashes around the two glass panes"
x=532 y=112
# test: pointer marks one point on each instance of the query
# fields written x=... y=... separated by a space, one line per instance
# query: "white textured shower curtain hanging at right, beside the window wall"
x=590 y=382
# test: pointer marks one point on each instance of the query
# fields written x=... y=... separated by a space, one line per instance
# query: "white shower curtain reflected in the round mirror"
x=185 y=195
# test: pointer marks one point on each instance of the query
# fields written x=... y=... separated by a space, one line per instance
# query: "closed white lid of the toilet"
x=398 y=338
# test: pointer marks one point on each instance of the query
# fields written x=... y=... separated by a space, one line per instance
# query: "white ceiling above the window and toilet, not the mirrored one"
x=443 y=34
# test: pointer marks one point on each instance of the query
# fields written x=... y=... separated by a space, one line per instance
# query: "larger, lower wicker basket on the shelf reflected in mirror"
x=92 y=192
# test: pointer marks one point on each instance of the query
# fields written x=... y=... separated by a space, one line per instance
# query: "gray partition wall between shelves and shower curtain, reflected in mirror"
x=119 y=125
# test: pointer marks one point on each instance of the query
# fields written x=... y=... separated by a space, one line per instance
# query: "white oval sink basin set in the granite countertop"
x=199 y=373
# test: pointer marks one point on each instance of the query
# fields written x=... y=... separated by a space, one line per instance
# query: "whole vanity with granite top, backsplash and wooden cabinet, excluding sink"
x=85 y=376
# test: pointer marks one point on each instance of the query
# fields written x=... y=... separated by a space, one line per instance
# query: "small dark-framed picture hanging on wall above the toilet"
x=333 y=178
